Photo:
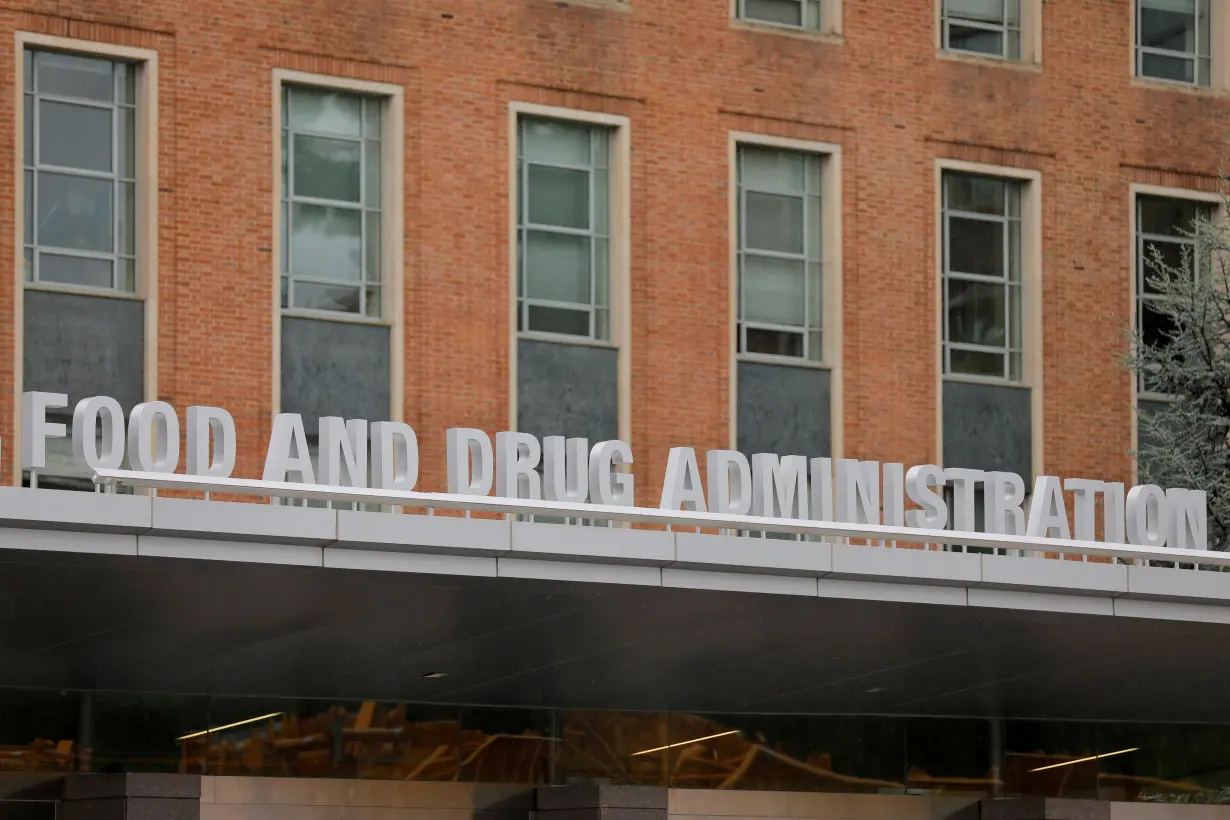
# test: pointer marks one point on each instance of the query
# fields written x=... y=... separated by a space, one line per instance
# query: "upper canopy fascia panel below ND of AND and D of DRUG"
x=425 y=534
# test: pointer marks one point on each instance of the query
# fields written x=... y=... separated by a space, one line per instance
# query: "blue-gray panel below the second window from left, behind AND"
x=335 y=369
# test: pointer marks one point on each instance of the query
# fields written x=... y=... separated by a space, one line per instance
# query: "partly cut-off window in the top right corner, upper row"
x=1173 y=41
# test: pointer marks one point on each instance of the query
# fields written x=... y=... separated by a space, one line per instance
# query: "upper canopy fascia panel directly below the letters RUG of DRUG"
x=598 y=544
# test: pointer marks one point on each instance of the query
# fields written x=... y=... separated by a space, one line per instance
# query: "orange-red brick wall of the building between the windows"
x=686 y=78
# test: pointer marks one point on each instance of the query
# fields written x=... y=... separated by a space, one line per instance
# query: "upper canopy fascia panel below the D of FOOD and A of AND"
x=237 y=522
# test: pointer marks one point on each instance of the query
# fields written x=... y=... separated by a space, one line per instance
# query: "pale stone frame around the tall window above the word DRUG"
x=619 y=272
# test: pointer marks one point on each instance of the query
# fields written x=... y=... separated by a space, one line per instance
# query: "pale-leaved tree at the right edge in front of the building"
x=1180 y=356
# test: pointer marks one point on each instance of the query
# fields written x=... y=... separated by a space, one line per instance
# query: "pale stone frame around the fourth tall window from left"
x=831 y=277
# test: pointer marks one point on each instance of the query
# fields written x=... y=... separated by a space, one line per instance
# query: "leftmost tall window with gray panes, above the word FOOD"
x=81 y=171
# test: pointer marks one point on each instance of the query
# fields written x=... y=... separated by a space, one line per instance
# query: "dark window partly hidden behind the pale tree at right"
x=1164 y=227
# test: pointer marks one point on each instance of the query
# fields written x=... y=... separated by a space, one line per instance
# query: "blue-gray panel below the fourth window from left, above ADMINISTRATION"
x=784 y=410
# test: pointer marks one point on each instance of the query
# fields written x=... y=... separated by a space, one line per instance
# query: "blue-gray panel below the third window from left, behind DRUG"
x=570 y=390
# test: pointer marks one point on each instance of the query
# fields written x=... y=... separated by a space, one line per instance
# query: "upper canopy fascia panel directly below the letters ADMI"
x=764 y=556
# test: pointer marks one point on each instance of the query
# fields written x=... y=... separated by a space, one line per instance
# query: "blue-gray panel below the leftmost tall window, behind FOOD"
x=84 y=346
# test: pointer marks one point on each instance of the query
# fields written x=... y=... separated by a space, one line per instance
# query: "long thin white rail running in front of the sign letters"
x=672 y=521
